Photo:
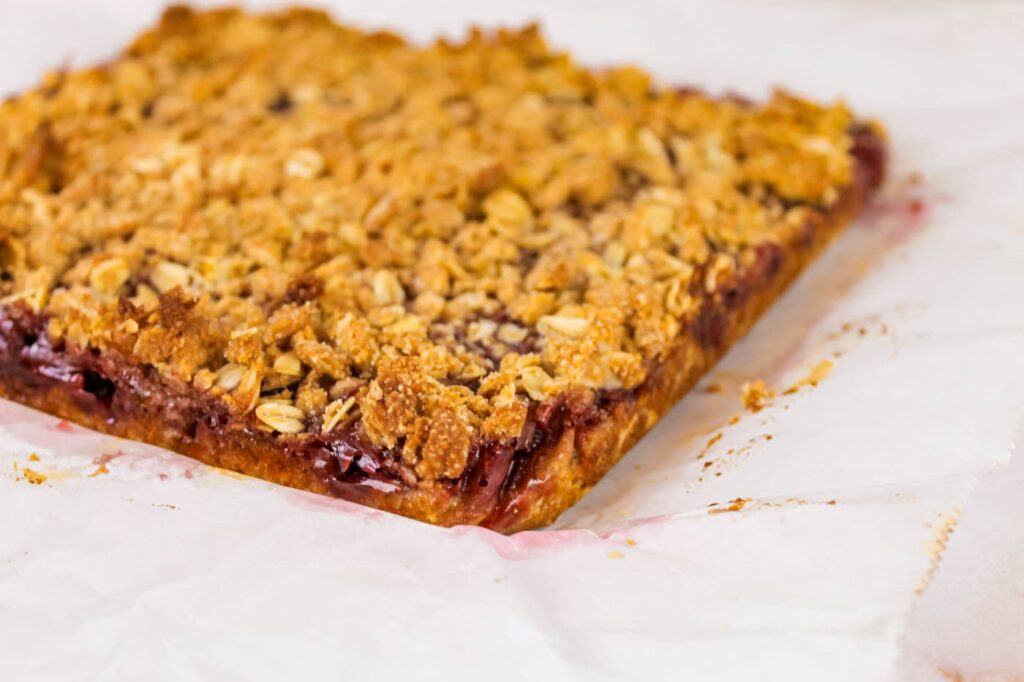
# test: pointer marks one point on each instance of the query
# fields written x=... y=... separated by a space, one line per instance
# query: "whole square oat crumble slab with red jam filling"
x=495 y=390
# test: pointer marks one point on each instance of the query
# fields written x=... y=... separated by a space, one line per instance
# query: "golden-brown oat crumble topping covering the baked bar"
x=332 y=229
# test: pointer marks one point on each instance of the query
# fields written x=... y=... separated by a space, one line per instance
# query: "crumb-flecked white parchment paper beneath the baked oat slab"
x=788 y=543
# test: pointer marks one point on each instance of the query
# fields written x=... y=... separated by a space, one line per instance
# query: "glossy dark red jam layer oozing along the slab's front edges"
x=350 y=466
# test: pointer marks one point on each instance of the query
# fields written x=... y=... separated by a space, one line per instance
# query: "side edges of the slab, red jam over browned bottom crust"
x=565 y=448
